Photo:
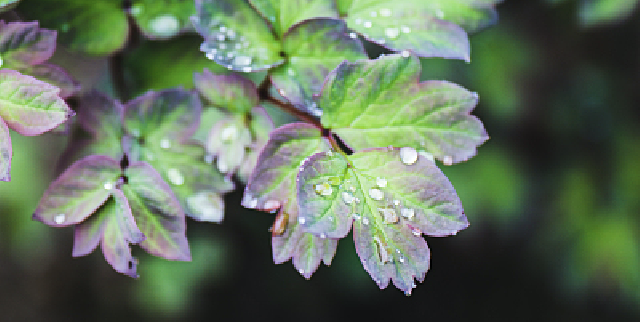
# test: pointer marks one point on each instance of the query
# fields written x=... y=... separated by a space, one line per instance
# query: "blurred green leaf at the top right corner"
x=598 y=12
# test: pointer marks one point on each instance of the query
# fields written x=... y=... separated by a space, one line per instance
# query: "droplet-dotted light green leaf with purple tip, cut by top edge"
x=409 y=25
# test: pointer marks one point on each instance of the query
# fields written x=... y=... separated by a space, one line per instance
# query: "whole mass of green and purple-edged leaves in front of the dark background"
x=362 y=154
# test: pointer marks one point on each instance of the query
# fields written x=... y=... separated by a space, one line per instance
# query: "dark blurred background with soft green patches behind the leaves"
x=553 y=199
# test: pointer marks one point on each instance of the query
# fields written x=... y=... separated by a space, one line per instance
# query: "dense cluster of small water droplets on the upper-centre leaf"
x=228 y=48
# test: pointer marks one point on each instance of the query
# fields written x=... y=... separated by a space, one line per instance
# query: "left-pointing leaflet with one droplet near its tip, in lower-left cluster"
x=78 y=191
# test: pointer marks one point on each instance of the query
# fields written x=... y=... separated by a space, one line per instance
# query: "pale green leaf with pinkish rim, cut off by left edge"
x=30 y=106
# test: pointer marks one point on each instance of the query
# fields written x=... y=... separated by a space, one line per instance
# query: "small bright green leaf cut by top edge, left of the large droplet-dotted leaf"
x=286 y=13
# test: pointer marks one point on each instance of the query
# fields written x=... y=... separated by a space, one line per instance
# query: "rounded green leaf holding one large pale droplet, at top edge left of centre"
x=162 y=19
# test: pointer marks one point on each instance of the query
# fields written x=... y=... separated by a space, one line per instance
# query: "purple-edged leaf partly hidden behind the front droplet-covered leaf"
x=273 y=185
